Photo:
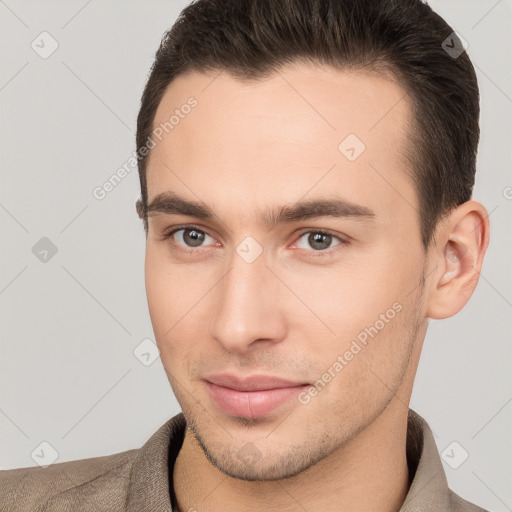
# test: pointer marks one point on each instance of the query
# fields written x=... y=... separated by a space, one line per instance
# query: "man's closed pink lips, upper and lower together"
x=253 y=396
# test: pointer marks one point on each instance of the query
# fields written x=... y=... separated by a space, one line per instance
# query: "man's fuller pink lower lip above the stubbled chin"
x=251 y=404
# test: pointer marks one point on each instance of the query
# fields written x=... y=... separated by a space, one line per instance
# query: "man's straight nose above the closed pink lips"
x=248 y=309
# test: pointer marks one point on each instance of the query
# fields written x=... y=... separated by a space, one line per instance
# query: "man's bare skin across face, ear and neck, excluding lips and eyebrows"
x=249 y=146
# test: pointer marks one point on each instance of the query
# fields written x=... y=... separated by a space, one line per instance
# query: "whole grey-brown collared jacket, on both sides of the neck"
x=138 y=480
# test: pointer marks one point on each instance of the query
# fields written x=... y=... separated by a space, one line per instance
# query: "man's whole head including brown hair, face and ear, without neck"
x=306 y=173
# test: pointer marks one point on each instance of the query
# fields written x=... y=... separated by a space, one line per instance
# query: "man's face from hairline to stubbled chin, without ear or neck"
x=336 y=314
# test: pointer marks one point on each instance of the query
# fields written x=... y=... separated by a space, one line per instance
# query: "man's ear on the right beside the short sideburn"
x=460 y=245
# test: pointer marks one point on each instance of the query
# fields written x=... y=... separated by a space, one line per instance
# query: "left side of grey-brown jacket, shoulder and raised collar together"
x=136 y=479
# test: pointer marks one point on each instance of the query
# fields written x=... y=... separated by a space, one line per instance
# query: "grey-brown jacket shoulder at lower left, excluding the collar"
x=76 y=484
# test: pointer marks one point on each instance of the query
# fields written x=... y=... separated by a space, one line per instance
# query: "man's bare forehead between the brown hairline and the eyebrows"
x=303 y=130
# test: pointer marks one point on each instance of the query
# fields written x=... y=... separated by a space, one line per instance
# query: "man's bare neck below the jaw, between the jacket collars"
x=367 y=473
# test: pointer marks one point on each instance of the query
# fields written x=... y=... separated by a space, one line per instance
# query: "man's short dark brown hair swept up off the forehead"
x=251 y=39
